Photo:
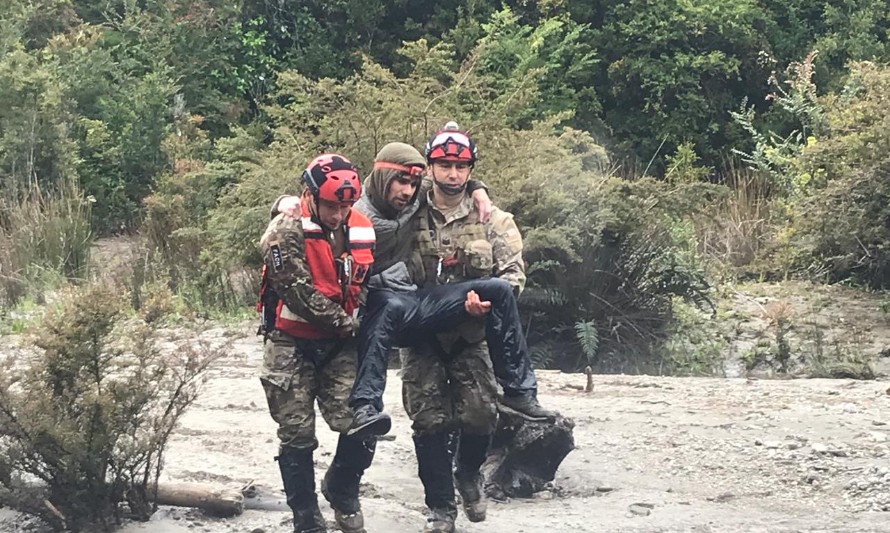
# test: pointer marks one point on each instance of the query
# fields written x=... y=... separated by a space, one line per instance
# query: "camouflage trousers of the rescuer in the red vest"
x=298 y=372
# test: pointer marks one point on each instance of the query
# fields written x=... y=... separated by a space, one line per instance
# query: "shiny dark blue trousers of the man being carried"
x=393 y=319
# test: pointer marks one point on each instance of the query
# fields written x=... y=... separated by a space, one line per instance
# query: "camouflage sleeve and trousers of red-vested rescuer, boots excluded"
x=297 y=372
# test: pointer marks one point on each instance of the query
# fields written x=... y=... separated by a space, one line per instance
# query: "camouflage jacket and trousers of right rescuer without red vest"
x=449 y=382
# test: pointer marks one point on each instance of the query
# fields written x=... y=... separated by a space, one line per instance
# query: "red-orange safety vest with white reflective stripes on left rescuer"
x=327 y=273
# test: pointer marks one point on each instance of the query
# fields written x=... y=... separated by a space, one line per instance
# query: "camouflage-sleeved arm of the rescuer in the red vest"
x=284 y=252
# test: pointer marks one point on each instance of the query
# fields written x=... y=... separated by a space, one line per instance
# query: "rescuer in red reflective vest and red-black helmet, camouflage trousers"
x=309 y=349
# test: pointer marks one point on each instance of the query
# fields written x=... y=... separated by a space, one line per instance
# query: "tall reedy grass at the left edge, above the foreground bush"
x=45 y=238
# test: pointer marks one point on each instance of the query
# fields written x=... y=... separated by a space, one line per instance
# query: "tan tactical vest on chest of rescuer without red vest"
x=453 y=252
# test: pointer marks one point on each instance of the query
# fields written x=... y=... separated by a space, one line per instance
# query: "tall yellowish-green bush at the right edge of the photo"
x=841 y=227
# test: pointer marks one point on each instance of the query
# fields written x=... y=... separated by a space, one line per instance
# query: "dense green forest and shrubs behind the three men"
x=655 y=152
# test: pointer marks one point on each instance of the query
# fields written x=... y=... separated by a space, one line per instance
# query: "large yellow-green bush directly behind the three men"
x=600 y=250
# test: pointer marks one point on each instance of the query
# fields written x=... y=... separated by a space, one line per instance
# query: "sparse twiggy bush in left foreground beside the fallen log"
x=84 y=423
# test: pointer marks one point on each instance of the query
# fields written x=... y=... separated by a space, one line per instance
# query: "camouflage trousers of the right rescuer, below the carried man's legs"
x=445 y=391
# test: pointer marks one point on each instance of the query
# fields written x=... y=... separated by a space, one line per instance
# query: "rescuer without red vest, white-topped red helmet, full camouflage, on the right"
x=448 y=384
